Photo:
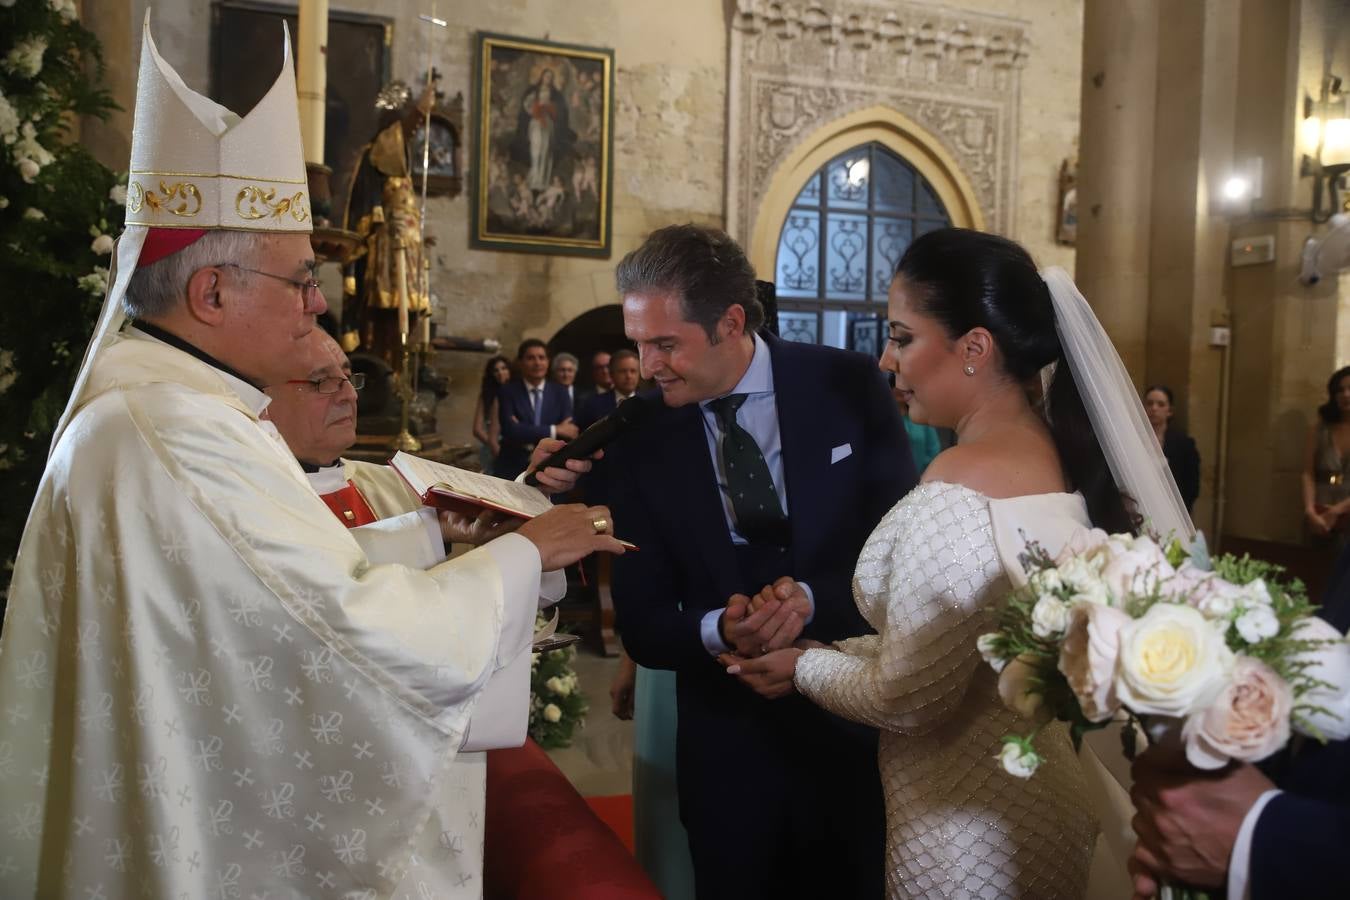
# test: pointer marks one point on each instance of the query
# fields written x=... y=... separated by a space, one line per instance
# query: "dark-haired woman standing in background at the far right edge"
x=1326 y=495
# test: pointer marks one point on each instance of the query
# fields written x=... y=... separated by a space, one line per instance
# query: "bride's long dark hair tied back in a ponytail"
x=971 y=280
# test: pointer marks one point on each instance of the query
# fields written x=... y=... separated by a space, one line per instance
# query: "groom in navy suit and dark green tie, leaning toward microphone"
x=769 y=462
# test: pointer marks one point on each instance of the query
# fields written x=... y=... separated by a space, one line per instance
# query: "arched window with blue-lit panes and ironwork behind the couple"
x=840 y=244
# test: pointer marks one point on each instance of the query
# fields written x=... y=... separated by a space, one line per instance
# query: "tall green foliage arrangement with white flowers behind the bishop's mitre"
x=59 y=207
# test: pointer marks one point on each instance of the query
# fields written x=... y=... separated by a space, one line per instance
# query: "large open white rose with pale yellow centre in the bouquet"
x=1172 y=662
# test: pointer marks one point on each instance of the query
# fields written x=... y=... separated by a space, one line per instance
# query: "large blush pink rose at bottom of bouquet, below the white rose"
x=1248 y=721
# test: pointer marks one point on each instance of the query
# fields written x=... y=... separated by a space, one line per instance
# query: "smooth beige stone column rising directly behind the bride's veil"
x=1116 y=169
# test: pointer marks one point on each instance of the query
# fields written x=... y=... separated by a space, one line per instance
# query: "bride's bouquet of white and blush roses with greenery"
x=1221 y=655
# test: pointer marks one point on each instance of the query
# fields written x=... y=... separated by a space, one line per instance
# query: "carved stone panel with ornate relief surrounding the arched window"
x=799 y=67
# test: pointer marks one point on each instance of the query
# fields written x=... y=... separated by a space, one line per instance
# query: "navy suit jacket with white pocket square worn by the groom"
x=666 y=500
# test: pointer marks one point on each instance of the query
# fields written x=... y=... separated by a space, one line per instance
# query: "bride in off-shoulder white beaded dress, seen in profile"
x=973 y=329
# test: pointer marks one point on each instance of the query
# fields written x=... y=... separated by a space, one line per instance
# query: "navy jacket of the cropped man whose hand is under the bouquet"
x=1301 y=836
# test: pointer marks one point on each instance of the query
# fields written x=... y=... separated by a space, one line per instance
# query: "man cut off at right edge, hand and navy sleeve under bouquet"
x=1262 y=835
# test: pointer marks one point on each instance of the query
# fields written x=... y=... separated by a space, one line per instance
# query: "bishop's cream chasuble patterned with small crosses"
x=207 y=687
